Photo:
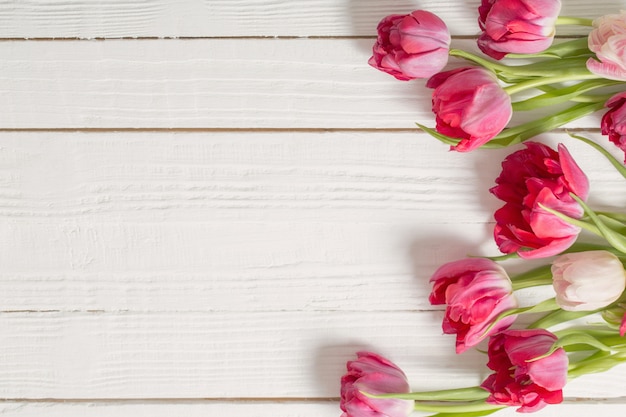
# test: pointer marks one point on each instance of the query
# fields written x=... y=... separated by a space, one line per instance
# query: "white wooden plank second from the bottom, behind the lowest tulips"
x=231 y=355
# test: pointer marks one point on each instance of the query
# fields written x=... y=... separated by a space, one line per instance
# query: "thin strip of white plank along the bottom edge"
x=260 y=409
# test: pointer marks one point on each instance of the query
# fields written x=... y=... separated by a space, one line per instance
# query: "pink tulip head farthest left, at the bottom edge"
x=373 y=374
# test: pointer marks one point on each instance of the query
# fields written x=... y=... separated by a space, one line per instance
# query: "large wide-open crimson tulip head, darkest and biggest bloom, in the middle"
x=530 y=178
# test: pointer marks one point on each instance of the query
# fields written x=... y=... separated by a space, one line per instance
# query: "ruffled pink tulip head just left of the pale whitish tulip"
x=475 y=292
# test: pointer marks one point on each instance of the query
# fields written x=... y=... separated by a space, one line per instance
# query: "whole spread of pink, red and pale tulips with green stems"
x=545 y=209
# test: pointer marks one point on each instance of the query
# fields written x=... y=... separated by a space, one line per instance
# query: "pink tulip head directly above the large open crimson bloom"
x=469 y=104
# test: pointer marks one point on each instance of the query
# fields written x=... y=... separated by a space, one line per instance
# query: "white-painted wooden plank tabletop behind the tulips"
x=206 y=207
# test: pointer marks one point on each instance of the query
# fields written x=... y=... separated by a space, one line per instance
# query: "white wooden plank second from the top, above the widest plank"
x=209 y=83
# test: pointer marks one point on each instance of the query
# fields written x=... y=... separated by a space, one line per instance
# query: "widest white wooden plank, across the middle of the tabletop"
x=237 y=221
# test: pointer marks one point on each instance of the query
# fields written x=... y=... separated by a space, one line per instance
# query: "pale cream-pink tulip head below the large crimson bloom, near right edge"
x=585 y=281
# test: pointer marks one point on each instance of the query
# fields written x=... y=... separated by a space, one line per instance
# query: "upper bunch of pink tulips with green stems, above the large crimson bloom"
x=473 y=104
